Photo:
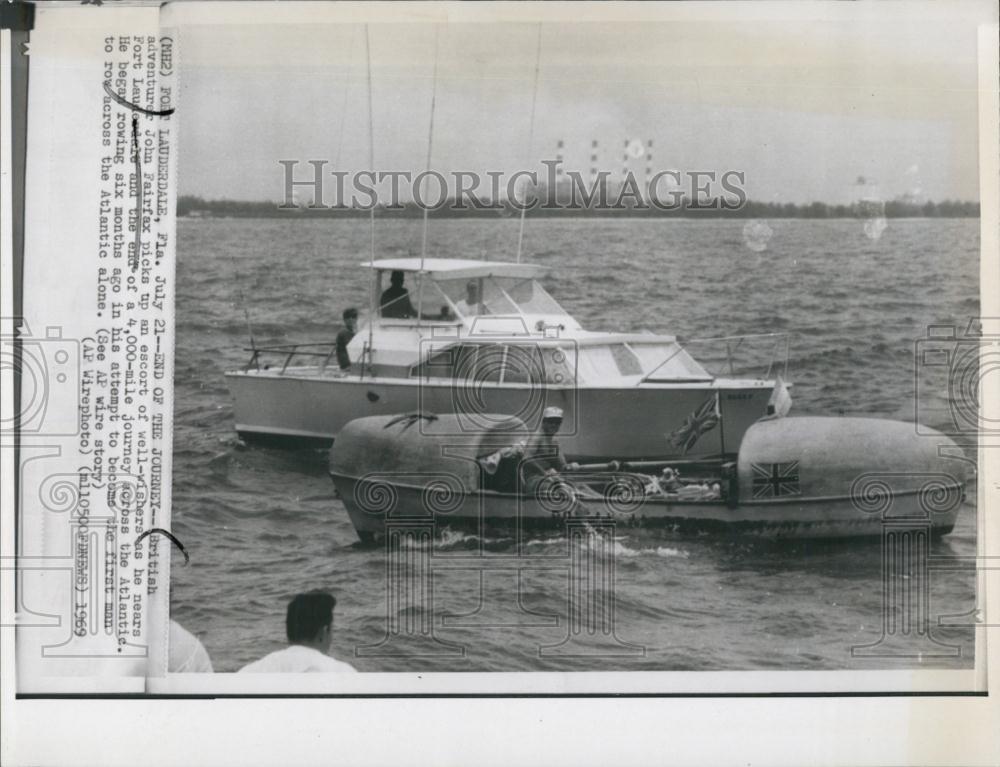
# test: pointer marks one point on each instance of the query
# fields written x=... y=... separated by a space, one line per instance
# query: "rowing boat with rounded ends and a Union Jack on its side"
x=796 y=477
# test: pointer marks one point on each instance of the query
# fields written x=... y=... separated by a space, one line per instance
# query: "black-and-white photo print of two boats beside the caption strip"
x=552 y=346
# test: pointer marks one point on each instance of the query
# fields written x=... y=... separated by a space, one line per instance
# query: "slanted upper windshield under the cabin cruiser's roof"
x=500 y=296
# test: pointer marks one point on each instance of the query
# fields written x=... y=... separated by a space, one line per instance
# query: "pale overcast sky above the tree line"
x=803 y=105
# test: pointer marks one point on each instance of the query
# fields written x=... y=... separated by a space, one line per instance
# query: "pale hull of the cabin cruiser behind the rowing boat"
x=628 y=424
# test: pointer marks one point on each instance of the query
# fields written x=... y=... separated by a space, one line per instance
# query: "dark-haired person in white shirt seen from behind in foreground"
x=309 y=626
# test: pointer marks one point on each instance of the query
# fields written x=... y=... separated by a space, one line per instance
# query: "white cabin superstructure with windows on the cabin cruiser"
x=494 y=322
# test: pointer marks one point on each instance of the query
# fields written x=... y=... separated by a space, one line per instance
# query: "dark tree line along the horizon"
x=190 y=206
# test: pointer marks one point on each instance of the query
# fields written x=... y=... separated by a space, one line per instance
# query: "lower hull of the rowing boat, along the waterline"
x=373 y=506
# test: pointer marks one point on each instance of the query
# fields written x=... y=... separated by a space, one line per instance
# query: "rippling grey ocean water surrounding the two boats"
x=263 y=524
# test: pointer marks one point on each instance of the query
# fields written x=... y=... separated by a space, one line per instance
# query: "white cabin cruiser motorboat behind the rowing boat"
x=485 y=337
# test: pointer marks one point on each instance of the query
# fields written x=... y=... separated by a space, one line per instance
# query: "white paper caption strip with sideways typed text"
x=98 y=352
